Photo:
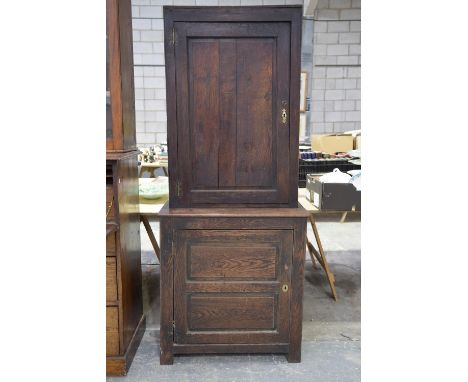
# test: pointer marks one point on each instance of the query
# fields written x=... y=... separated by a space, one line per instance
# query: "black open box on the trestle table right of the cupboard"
x=332 y=196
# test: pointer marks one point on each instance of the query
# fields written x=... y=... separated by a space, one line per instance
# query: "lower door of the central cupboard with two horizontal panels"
x=230 y=282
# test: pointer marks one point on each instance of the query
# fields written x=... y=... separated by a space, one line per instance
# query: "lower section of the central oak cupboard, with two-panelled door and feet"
x=231 y=284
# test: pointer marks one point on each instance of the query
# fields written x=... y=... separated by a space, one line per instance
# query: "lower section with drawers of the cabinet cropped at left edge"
x=125 y=322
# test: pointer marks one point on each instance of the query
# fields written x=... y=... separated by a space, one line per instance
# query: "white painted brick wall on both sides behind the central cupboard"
x=334 y=61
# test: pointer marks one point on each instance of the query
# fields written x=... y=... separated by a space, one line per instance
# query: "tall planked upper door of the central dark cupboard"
x=229 y=99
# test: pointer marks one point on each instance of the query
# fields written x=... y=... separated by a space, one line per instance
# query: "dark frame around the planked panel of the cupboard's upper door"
x=277 y=192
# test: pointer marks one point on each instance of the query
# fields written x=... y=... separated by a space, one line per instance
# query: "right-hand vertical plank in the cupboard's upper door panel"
x=254 y=113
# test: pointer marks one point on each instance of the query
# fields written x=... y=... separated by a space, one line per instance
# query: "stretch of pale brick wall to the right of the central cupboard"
x=336 y=84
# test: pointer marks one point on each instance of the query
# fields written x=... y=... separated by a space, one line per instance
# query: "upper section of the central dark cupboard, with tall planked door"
x=233 y=105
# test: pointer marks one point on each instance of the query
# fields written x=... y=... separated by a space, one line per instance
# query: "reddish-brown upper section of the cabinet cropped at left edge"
x=120 y=93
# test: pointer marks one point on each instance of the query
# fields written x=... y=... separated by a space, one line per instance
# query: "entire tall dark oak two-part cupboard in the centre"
x=232 y=235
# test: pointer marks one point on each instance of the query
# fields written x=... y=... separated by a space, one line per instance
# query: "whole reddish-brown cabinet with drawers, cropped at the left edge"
x=125 y=322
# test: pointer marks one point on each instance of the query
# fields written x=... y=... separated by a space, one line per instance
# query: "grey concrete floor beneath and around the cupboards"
x=331 y=349
